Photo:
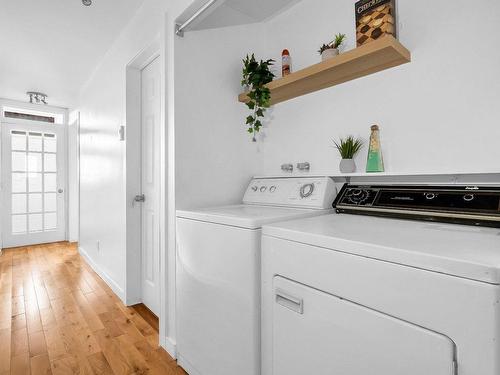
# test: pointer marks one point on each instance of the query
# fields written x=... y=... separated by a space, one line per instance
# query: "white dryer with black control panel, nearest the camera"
x=355 y=295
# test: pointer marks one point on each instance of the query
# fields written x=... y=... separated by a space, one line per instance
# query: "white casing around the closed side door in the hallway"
x=133 y=159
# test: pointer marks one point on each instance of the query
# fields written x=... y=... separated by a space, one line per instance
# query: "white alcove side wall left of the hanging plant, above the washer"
x=215 y=157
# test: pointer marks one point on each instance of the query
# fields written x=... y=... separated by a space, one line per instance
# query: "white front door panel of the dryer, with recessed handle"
x=317 y=333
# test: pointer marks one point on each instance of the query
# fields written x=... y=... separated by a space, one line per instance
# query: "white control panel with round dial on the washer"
x=316 y=193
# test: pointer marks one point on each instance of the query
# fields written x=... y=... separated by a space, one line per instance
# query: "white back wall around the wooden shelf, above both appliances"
x=437 y=114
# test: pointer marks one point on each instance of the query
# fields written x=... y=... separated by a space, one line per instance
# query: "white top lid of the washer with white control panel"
x=248 y=216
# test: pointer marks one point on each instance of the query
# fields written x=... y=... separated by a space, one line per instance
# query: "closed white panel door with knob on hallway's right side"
x=151 y=107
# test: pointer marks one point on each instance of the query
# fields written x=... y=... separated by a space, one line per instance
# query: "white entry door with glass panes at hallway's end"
x=33 y=184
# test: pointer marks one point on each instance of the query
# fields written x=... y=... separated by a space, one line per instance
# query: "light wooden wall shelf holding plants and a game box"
x=371 y=58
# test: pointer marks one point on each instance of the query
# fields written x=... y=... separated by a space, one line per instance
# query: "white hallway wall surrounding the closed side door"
x=103 y=197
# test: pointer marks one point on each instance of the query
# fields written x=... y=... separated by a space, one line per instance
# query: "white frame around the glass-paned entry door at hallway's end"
x=9 y=103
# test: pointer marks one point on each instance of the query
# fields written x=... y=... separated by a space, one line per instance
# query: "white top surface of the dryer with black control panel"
x=458 y=250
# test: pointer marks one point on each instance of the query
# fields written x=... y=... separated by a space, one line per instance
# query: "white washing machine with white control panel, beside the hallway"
x=218 y=272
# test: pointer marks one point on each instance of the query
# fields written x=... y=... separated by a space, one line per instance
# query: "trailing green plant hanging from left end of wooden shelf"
x=256 y=74
